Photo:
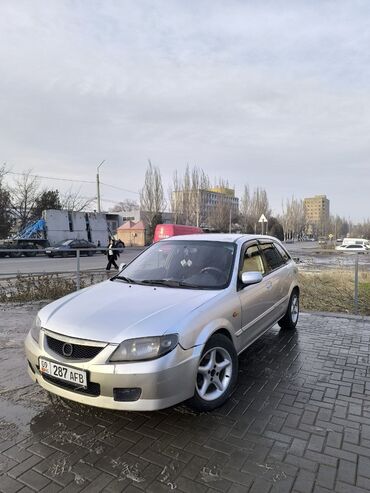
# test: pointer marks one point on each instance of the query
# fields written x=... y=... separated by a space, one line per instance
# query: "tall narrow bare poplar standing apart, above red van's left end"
x=152 y=201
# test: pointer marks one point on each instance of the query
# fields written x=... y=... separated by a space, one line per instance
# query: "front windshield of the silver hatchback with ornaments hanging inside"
x=185 y=264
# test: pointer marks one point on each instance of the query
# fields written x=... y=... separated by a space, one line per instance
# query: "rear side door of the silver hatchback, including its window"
x=278 y=276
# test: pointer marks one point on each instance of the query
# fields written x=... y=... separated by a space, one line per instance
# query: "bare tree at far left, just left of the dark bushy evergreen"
x=23 y=197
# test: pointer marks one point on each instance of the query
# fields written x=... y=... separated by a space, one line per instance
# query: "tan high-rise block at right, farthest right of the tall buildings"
x=317 y=212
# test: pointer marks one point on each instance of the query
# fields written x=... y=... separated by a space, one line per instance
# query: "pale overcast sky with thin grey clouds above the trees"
x=272 y=94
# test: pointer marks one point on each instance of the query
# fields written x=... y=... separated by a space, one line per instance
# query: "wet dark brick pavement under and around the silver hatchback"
x=299 y=421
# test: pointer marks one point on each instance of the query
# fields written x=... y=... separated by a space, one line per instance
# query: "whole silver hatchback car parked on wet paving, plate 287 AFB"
x=169 y=327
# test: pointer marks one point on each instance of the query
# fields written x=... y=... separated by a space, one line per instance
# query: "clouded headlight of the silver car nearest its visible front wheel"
x=145 y=348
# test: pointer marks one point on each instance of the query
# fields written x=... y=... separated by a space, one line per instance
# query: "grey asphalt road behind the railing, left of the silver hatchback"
x=10 y=267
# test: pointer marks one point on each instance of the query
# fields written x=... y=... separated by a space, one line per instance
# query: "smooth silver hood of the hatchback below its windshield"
x=115 y=311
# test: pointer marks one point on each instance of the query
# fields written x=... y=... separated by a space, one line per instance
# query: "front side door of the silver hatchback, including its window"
x=255 y=299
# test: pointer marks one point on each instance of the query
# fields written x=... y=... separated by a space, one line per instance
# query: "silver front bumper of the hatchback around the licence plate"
x=163 y=382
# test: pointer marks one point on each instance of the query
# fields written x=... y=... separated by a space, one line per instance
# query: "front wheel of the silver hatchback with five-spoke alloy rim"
x=216 y=375
